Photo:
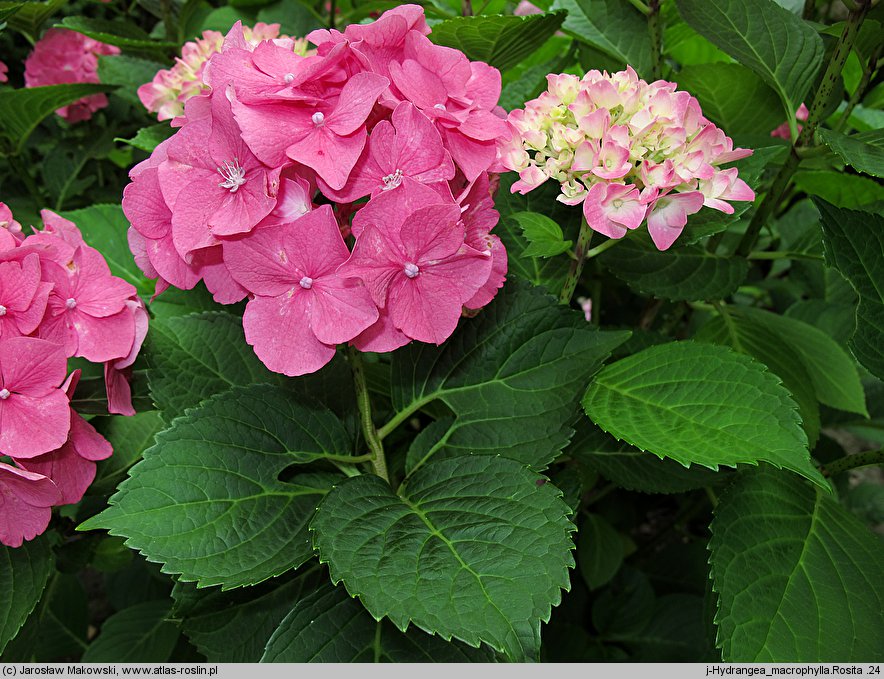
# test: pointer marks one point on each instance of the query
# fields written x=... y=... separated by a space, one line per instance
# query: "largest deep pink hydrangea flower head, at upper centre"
x=345 y=191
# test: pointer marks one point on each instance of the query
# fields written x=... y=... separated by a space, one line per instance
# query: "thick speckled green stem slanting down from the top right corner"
x=817 y=108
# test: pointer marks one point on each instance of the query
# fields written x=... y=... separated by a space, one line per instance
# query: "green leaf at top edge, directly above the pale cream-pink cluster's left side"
x=500 y=40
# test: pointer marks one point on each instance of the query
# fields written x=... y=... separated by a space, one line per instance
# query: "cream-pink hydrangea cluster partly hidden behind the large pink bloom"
x=170 y=88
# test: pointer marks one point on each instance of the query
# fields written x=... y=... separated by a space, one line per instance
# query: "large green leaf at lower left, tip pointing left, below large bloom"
x=207 y=500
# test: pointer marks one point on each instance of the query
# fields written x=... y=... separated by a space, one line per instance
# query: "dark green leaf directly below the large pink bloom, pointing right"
x=511 y=376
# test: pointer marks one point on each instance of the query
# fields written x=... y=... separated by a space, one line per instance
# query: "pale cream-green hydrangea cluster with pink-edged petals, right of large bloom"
x=627 y=150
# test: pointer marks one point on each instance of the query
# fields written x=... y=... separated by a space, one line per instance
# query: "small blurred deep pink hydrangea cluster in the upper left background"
x=63 y=56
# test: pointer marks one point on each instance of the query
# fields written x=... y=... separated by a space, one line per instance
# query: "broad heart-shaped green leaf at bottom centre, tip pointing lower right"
x=476 y=548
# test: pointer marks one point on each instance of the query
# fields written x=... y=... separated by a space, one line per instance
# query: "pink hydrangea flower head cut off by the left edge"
x=58 y=300
